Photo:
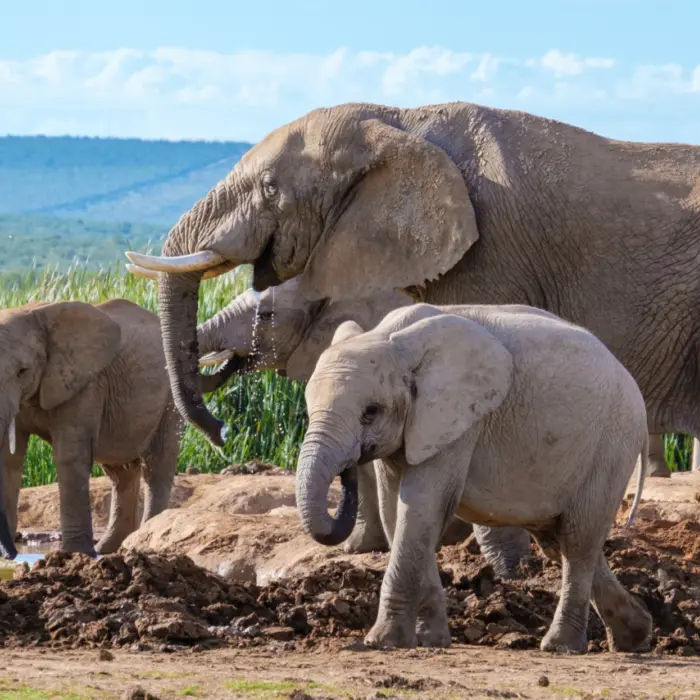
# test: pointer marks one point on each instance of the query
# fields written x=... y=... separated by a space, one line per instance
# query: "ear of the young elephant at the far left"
x=81 y=341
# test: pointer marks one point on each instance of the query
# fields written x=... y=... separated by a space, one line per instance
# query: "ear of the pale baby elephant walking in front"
x=461 y=373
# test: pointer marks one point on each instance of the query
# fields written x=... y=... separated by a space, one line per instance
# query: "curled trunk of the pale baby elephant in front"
x=317 y=467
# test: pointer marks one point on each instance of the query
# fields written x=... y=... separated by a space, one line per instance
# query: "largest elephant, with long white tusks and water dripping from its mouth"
x=458 y=203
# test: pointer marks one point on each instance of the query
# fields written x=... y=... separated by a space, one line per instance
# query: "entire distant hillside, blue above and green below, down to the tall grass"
x=62 y=197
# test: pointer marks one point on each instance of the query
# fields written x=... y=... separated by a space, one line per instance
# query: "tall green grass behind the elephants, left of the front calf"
x=266 y=413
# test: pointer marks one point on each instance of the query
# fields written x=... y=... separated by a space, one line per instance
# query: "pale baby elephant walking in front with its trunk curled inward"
x=505 y=415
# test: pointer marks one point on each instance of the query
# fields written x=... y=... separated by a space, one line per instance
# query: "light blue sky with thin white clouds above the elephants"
x=228 y=70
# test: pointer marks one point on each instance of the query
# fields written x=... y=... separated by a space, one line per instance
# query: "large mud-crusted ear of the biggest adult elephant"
x=408 y=216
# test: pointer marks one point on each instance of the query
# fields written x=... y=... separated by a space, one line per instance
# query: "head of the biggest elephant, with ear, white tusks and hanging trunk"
x=355 y=197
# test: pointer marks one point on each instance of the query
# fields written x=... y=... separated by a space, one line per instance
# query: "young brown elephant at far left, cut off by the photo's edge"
x=91 y=381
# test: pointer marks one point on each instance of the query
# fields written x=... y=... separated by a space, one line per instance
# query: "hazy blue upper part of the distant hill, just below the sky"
x=110 y=179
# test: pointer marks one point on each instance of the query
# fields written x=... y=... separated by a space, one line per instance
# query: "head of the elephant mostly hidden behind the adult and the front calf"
x=281 y=330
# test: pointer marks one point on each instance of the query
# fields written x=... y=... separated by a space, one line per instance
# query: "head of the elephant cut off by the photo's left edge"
x=48 y=353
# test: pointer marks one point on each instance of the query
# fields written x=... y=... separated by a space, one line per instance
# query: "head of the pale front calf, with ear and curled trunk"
x=416 y=383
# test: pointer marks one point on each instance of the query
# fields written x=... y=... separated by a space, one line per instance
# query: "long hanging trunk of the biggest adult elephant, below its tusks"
x=178 y=298
